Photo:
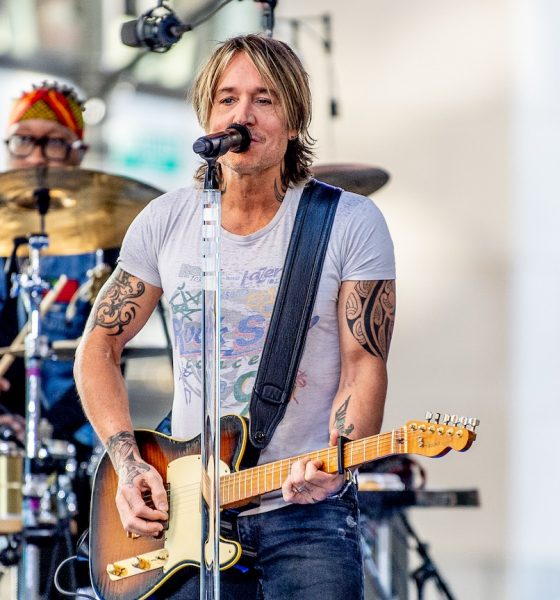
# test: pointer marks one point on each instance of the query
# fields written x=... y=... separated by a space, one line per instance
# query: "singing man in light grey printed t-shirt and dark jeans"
x=306 y=538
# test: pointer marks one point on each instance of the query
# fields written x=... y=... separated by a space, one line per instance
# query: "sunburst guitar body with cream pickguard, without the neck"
x=109 y=544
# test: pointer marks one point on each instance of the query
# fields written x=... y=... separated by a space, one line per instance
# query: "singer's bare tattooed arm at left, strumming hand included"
x=120 y=311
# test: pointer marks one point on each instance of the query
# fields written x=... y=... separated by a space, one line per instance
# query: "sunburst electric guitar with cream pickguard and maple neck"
x=129 y=569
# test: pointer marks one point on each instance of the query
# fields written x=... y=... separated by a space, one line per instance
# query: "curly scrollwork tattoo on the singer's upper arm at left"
x=116 y=307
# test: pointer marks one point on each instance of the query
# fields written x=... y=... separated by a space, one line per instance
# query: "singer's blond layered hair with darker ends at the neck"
x=283 y=73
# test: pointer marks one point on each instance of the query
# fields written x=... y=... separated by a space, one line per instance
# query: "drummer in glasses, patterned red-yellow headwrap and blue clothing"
x=46 y=126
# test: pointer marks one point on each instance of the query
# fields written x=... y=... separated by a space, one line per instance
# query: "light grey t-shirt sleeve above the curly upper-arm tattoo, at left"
x=139 y=249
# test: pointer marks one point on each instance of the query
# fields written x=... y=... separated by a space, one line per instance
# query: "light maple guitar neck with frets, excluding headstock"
x=242 y=485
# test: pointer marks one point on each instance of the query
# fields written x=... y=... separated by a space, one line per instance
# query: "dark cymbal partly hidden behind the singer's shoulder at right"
x=360 y=179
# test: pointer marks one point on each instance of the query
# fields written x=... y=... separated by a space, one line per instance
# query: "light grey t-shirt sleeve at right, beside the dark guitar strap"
x=367 y=247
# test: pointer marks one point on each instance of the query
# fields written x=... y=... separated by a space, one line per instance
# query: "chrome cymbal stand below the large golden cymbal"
x=33 y=287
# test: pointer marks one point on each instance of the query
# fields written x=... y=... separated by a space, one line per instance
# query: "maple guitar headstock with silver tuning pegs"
x=438 y=435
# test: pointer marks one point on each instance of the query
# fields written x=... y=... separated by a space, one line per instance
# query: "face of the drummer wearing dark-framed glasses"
x=58 y=137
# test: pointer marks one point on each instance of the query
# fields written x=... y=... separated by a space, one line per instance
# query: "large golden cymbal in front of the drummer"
x=88 y=209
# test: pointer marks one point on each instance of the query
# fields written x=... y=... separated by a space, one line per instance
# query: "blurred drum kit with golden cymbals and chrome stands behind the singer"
x=75 y=211
